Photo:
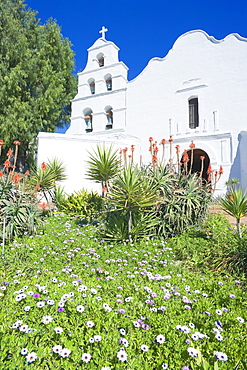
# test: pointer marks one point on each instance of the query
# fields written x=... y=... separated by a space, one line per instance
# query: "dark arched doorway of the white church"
x=194 y=165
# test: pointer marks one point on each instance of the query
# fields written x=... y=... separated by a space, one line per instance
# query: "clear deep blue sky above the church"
x=142 y=29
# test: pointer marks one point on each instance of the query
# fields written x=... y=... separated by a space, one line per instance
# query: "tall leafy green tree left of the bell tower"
x=36 y=80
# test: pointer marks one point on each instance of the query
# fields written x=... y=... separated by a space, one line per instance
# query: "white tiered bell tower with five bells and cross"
x=100 y=103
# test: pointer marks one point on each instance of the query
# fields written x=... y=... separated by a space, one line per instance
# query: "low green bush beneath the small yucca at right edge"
x=214 y=246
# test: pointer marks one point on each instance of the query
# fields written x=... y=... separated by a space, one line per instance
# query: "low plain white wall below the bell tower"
x=73 y=151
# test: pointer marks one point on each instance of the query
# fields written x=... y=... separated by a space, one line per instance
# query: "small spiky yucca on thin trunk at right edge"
x=235 y=205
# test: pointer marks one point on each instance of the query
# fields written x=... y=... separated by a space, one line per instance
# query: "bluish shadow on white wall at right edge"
x=239 y=166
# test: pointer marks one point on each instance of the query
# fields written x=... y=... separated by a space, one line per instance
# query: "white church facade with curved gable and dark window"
x=197 y=66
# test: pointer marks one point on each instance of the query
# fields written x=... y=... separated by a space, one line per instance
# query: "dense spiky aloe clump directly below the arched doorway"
x=183 y=203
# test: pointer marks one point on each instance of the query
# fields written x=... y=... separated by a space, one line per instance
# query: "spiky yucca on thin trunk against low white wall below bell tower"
x=103 y=166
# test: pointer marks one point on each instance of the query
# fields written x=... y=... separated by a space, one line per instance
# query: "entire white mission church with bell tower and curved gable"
x=198 y=92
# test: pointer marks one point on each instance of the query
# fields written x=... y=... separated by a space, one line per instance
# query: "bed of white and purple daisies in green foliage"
x=71 y=301
